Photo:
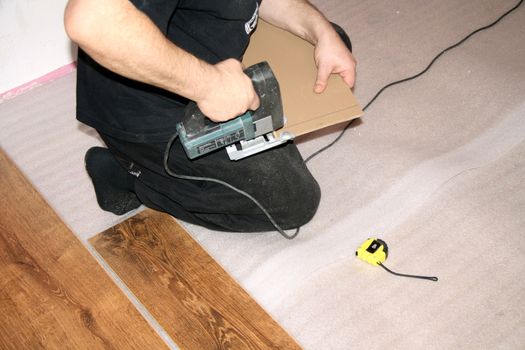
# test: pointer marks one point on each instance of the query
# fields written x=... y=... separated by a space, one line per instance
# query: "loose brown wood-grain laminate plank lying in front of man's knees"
x=191 y=296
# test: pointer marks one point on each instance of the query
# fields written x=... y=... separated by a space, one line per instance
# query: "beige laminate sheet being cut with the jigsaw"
x=292 y=61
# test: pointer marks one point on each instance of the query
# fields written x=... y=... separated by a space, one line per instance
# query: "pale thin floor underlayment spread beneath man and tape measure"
x=436 y=168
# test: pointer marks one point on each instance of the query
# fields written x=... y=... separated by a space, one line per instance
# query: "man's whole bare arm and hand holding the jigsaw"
x=123 y=39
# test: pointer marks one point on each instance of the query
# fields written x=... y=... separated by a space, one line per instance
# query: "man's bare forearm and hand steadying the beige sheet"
x=304 y=20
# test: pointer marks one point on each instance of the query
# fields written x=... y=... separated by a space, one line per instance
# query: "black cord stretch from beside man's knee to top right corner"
x=412 y=77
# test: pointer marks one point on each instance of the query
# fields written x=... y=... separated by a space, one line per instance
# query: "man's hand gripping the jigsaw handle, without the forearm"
x=229 y=92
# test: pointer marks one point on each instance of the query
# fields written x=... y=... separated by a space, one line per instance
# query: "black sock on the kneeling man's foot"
x=114 y=186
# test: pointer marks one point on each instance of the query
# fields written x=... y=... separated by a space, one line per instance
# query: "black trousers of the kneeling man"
x=277 y=178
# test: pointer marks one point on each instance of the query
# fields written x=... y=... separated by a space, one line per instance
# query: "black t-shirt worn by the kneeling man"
x=129 y=110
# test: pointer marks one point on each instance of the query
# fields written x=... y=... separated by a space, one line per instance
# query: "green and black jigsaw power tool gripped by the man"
x=244 y=135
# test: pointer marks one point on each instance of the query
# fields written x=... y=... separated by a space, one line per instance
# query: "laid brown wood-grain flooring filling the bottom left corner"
x=53 y=294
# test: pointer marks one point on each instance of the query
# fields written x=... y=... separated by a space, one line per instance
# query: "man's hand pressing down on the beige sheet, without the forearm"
x=333 y=57
